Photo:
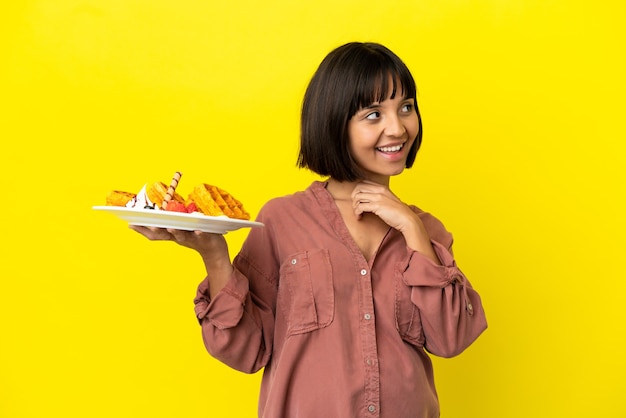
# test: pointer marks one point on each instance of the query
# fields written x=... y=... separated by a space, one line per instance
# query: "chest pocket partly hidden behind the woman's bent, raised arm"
x=408 y=319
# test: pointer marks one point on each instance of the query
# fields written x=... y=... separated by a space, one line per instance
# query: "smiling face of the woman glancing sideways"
x=381 y=135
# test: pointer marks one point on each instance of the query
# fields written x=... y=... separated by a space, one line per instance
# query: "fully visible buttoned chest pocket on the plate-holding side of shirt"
x=305 y=291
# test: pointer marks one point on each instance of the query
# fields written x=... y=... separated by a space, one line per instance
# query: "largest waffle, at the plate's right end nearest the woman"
x=213 y=201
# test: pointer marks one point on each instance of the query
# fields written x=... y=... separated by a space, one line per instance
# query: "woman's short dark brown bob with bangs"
x=349 y=78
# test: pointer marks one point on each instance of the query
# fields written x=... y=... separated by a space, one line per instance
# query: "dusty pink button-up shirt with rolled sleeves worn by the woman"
x=339 y=336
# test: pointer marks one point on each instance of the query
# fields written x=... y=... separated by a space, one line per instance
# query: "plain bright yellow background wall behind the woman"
x=523 y=159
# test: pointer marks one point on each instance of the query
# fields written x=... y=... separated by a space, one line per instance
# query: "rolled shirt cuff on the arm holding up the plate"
x=226 y=308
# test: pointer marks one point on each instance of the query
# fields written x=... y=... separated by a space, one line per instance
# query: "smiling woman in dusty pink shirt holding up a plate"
x=342 y=293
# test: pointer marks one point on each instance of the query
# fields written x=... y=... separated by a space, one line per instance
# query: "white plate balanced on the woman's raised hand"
x=178 y=220
